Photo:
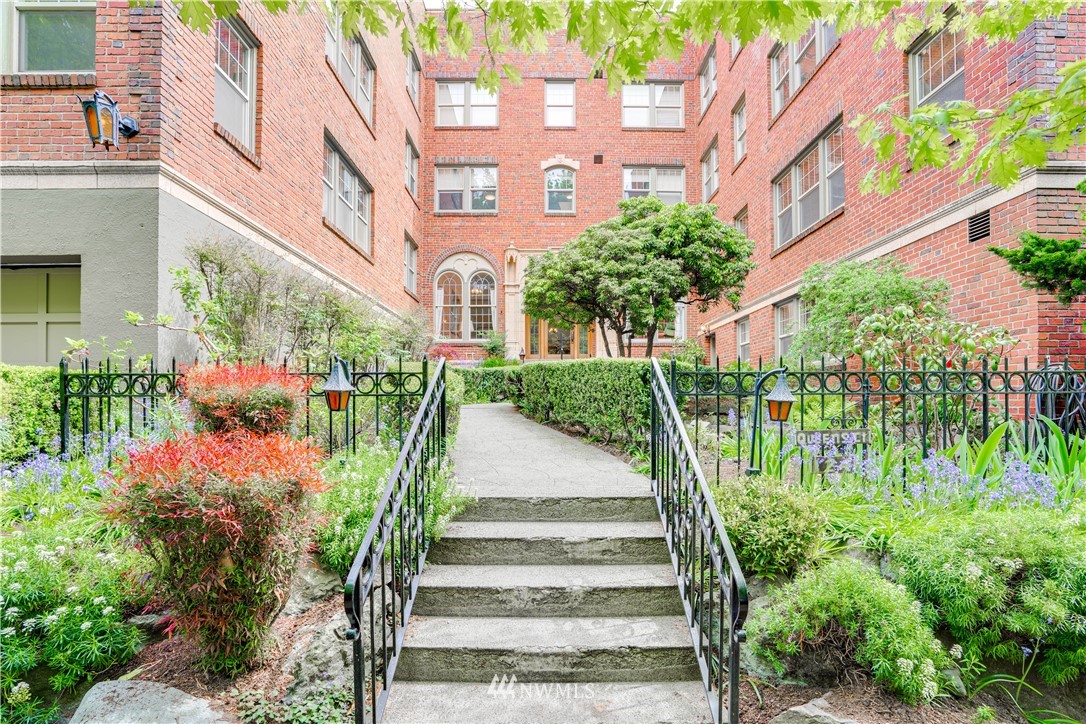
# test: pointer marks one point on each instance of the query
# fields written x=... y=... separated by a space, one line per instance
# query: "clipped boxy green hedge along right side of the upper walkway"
x=607 y=399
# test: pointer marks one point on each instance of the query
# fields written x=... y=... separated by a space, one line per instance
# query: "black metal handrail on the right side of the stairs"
x=711 y=581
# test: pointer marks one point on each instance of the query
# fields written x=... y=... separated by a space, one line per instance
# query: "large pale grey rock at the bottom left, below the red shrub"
x=143 y=703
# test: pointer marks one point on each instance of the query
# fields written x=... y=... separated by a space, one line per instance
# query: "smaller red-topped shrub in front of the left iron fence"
x=261 y=399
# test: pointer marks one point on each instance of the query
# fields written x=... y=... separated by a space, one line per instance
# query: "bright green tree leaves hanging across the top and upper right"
x=623 y=37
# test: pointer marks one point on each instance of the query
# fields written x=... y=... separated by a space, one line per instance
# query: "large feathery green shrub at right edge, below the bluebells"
x=1004 y=582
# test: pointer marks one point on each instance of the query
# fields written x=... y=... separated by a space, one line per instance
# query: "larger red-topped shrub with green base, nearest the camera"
x=224 y=517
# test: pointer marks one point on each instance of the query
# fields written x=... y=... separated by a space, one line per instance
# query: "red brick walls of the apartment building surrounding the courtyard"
x=163 y=74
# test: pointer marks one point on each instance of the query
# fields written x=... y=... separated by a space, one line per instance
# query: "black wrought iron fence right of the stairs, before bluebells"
x=923 y=411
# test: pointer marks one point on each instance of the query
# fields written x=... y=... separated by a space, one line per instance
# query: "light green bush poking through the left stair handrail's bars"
x=358 y=485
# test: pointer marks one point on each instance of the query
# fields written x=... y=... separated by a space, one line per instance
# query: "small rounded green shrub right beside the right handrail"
x=774 y=528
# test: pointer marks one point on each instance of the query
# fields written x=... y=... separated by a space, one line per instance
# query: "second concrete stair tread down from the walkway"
x=451 y=576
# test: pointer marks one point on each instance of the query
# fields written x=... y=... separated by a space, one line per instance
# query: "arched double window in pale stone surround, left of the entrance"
x=465 y=299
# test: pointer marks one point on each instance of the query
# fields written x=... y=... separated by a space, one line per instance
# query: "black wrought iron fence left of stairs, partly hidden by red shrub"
x=97 y=402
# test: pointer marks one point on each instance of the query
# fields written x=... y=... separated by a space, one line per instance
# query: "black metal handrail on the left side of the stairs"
x=381 y=588
